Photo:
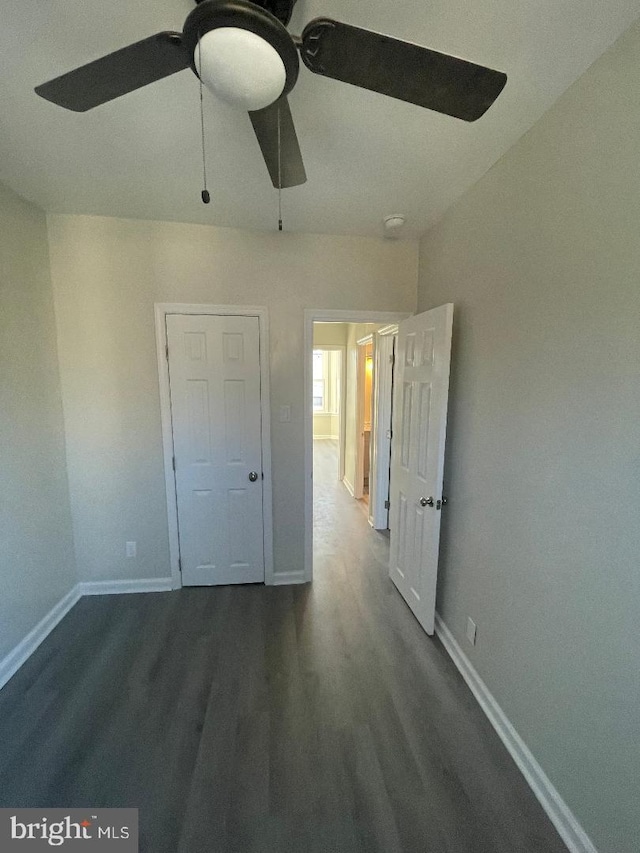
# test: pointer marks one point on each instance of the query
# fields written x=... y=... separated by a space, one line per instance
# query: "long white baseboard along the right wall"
x=559 y=813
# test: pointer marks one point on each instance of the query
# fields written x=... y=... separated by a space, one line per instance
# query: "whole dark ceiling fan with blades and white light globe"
x=243 y=52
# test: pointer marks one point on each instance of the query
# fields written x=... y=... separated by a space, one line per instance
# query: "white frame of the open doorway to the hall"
x=311 y=316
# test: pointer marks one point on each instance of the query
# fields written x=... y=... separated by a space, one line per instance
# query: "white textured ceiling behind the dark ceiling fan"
x=365 y=155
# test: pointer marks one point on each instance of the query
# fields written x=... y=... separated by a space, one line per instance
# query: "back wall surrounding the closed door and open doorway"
x=107 y=274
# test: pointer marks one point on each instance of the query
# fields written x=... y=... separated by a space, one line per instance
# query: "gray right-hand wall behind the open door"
x=541 y=543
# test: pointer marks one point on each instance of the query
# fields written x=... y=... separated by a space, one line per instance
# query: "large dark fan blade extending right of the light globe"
x=399 y=69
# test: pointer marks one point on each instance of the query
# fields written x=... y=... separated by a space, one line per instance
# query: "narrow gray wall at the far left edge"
x=36 y=555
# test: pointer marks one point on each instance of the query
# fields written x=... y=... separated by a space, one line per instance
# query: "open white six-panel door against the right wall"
x=421 y=389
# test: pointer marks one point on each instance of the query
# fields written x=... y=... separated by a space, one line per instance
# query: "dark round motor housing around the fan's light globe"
x=211 y=14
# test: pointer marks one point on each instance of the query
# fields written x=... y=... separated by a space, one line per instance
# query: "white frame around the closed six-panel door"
x=161 y=310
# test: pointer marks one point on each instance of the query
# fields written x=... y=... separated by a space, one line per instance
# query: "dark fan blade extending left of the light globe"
x=117 y=73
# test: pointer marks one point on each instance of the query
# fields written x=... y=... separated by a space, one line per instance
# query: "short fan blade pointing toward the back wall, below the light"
x=265 y=126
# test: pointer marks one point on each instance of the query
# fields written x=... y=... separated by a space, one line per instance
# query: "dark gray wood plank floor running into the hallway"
x=302 y=719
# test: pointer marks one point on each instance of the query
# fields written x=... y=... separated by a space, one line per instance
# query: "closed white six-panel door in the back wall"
x=214 y=371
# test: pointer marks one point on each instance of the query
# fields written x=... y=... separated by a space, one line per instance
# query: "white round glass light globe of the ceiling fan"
x=240 y=67
